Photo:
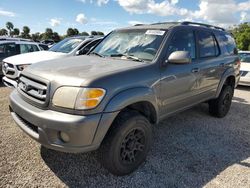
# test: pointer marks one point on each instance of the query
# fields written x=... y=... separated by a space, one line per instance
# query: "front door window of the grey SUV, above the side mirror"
x=182 y=41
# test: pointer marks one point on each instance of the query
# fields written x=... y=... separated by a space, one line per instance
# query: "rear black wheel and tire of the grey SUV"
x=220 y=107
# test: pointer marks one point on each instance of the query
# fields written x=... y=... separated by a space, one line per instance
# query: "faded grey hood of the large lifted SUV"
x=78 y=69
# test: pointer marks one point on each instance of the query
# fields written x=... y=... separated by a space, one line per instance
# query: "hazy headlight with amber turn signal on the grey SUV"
x=78 y=98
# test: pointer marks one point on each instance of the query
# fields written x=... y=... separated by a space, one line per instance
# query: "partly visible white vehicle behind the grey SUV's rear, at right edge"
x=245 y=70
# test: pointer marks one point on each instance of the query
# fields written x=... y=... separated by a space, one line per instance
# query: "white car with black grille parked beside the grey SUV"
x=73 y=46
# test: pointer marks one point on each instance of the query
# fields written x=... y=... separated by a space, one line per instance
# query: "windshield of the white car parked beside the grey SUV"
x=66 y=45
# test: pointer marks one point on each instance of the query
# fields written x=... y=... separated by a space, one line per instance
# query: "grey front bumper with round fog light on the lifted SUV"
x=44 y=126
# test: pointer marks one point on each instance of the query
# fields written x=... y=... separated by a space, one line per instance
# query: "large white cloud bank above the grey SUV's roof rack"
x=212 y=11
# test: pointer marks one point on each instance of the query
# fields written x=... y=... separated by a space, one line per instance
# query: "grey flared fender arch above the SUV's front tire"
x=131 y=96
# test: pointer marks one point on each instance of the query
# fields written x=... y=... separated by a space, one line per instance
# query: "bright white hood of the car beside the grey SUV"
x=34 y=57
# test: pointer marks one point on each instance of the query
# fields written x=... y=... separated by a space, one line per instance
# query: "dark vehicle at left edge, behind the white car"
x=11 y=47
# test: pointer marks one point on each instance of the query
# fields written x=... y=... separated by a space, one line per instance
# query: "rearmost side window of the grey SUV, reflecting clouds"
x=228 y=44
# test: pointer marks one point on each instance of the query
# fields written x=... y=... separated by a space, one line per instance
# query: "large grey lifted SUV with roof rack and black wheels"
x=134 y=78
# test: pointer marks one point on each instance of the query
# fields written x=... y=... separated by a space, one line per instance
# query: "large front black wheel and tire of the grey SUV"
x=126 y=145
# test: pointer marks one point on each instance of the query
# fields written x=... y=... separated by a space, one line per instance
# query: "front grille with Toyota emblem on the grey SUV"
x=33 y=89
